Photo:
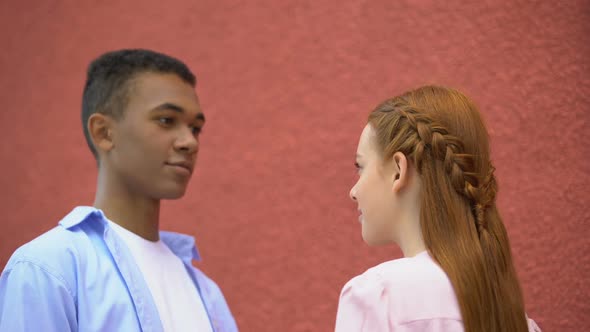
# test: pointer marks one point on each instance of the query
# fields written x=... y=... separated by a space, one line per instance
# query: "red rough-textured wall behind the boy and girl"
x=286 y=86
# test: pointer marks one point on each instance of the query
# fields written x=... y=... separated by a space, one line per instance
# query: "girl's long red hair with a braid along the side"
x=442 y=133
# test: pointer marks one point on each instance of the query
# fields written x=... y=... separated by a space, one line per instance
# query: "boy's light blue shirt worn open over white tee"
x=80 y=276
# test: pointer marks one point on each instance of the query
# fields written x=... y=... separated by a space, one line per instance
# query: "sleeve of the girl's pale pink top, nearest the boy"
x=363 y=306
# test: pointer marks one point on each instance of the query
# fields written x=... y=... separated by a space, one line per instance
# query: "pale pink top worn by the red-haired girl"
x=408 y=294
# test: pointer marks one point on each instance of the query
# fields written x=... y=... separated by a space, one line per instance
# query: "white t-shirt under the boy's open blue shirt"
x=177 y=299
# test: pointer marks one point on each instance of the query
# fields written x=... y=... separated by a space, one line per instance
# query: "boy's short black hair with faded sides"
x=109 y=76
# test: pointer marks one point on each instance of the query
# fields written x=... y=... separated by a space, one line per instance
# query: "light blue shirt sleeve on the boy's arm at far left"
x=34 y=299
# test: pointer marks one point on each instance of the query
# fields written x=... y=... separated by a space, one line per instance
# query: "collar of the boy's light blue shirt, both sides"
x=182 y=245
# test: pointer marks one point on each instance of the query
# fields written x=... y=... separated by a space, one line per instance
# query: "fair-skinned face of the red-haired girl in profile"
x=373 y=191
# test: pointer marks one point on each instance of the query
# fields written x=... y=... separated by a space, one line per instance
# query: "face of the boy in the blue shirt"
x=155 y=142
